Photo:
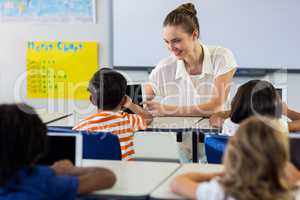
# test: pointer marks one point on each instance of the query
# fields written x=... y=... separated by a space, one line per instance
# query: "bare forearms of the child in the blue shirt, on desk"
x=90 y=178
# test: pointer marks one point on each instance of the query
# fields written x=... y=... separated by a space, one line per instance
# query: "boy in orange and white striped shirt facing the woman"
x=108 y=88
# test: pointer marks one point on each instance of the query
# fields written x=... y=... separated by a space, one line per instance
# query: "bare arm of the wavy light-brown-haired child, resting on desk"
x=186 y=184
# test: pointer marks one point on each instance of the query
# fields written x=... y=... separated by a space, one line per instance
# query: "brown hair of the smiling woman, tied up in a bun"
x=185 y=16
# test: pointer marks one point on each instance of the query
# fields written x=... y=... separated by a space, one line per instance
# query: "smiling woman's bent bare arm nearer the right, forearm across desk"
x=221 y=88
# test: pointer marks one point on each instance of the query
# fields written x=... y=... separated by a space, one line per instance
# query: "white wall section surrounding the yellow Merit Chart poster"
x=13 y=38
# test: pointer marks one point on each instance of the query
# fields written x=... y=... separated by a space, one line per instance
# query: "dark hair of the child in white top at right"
x=255 y=97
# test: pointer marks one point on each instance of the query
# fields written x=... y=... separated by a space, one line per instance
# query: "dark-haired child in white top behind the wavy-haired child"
x=256 y=97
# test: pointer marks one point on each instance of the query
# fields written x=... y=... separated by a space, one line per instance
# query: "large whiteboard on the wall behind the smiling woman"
x=260 y=33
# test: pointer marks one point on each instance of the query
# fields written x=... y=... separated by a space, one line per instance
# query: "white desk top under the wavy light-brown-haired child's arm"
x=164 y=190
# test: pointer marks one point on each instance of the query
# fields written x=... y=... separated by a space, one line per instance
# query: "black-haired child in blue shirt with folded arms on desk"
x=23 y=138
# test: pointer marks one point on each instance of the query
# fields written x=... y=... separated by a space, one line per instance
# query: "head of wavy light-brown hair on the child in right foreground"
x=255 y=160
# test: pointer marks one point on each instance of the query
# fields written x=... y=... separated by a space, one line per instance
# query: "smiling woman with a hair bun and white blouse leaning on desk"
x=194 y=80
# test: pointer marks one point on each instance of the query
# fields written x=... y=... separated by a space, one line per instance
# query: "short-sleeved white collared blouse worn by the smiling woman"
x=173 y=84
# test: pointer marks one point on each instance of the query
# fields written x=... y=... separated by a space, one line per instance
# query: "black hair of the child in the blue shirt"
x=23 y=138
